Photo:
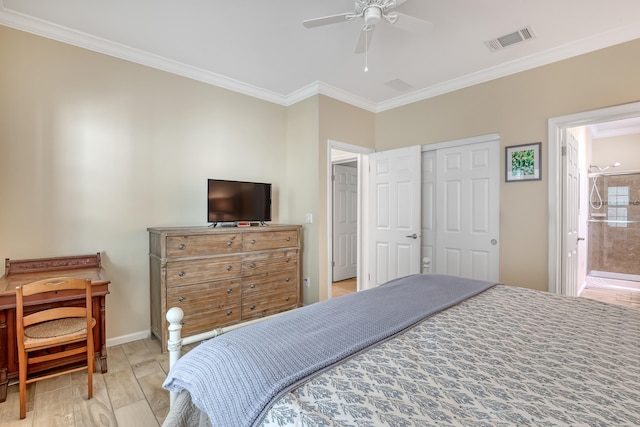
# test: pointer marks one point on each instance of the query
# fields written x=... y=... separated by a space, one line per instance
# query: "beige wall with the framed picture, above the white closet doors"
x=518 y=107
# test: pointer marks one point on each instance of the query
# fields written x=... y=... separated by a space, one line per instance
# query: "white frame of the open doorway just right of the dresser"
x=360 y=155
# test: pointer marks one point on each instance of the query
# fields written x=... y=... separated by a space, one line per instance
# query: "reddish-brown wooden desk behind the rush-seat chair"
x=19 y=272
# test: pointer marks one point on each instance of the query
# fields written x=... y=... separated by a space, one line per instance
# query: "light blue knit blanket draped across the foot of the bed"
x=234 y=378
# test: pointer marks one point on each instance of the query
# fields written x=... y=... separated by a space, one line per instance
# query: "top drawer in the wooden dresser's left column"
x=205 y=244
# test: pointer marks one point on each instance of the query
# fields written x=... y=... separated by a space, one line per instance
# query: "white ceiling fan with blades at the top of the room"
x=371 y=12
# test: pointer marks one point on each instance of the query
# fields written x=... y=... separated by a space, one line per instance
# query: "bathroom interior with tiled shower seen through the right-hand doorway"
x=609 y=207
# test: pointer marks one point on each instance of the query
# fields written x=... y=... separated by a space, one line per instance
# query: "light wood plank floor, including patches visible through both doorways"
x=131 y=393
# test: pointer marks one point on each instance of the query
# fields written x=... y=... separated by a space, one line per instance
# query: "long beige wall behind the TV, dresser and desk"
x=93 y=150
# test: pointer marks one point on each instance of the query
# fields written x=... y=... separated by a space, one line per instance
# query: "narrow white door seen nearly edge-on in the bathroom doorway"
x=570 y=206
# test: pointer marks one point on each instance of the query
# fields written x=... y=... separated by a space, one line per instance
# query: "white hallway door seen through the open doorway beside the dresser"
x=345 y=222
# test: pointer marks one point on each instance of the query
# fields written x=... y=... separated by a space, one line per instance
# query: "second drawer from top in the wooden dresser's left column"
x=180 y=273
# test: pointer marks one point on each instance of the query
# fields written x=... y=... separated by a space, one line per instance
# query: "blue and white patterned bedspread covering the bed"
x=507 y=357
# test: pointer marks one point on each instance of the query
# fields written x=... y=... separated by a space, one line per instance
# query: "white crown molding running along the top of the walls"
x=56 y=32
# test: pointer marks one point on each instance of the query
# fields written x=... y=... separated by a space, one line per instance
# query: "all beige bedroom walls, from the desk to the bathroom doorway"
x=93 y=150
